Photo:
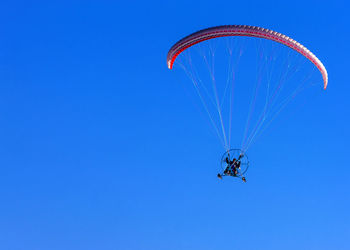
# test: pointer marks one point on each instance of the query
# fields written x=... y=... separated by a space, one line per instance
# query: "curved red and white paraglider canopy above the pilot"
x=243 y=30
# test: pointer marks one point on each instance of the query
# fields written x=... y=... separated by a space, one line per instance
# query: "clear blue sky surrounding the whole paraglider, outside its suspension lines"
x=101 y=148
